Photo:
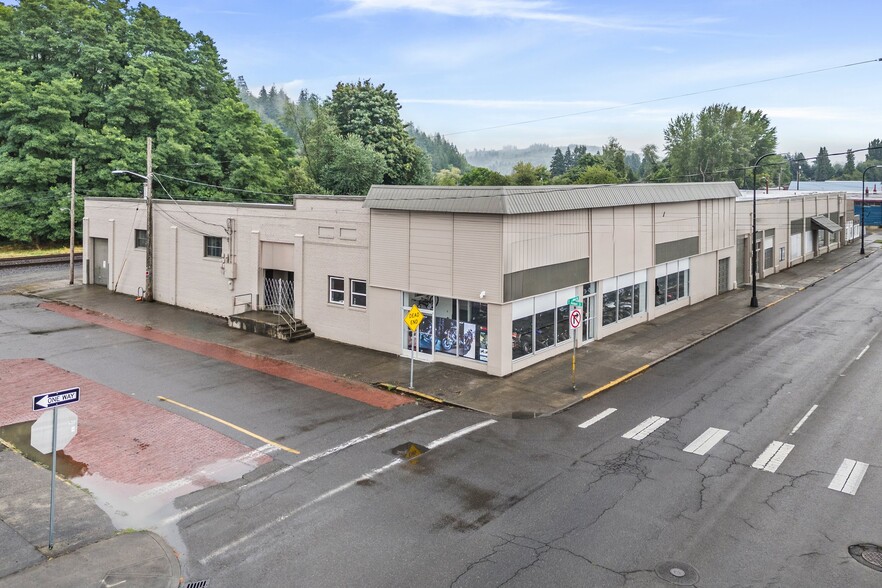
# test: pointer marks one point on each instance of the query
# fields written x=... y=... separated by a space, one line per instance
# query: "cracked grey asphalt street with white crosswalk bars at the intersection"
x=737 y=462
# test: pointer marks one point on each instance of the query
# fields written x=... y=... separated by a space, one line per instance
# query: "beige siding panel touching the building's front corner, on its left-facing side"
x=477 y=257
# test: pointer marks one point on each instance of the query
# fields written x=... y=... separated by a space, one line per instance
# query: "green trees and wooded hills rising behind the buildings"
x=92 y=79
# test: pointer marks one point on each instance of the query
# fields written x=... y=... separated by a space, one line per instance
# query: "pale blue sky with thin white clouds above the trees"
x=461 y=66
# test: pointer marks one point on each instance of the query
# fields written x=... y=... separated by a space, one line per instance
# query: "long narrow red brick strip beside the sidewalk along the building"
x=315 y=379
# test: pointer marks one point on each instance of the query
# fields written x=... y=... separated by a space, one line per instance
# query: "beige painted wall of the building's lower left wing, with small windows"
x=330 y=237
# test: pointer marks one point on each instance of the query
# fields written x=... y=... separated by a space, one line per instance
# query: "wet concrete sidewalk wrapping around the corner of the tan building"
x=539 y=390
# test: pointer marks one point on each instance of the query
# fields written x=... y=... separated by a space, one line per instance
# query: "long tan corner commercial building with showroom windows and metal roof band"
x=492 y=269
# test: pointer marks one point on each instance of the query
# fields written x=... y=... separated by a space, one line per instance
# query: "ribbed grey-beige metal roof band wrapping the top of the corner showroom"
x=530 y=199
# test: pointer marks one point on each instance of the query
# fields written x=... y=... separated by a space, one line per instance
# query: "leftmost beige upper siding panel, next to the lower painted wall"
x=390 y=249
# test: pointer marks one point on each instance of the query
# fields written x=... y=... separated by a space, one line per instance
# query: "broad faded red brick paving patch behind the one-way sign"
x=120 y=438
